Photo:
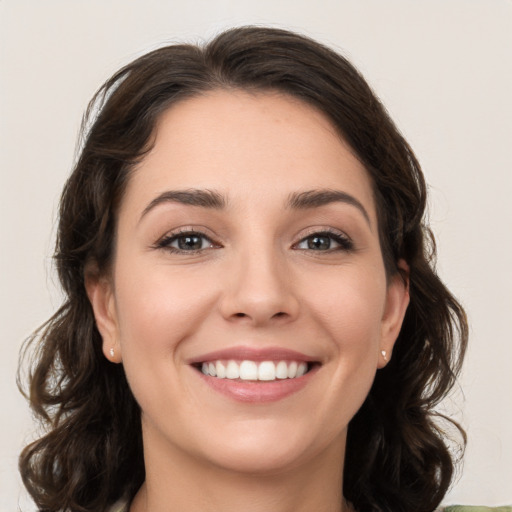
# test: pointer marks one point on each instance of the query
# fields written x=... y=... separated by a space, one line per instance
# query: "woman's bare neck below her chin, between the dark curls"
x=175 y=481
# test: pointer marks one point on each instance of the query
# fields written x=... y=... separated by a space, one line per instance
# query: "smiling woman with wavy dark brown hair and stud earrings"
x=252 y=316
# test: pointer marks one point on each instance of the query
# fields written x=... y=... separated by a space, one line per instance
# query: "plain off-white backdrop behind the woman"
x=443 y=68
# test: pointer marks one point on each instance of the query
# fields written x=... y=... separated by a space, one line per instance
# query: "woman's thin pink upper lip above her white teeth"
x=242 y=353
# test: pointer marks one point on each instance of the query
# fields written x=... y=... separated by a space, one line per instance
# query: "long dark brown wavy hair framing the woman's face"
x=397 y=456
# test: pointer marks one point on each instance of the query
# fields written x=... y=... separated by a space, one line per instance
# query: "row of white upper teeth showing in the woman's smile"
x=251 y=370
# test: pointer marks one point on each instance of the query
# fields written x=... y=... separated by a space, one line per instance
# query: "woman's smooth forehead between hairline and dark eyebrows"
x=248 y=145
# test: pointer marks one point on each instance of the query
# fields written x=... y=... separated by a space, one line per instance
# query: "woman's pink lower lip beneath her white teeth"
x=258 y=391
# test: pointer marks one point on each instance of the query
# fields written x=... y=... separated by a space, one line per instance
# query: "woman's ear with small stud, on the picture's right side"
x=397 y=300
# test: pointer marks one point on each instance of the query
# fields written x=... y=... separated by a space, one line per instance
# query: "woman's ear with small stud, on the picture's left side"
x=100 y=291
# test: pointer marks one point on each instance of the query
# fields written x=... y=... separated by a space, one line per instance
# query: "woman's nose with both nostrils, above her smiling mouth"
x=259 y=290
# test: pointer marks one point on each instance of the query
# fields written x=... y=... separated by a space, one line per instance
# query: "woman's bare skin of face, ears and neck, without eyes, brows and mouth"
x=254 y=282
